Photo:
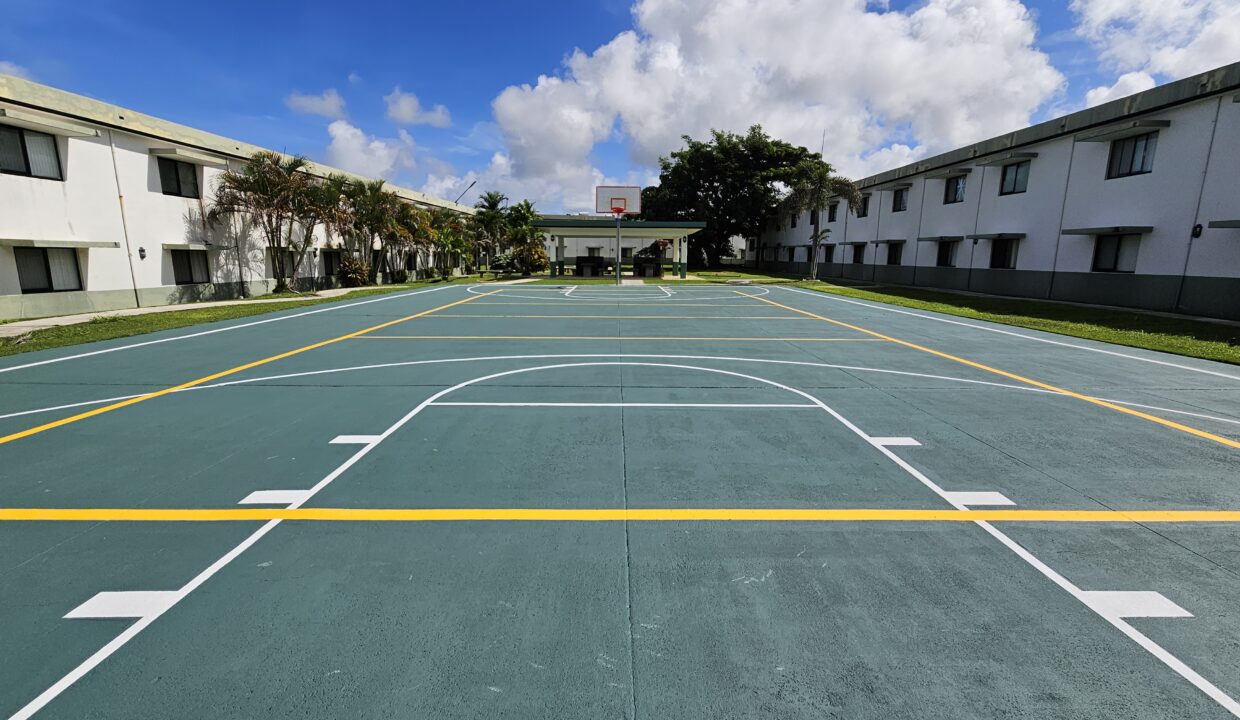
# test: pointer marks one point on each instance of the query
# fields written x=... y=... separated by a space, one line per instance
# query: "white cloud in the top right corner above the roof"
x=1164 y=39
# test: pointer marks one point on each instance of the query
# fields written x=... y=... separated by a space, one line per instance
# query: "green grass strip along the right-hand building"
x=1216 y=341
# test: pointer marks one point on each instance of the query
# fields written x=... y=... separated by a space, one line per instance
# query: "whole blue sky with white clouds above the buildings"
x=232 y=70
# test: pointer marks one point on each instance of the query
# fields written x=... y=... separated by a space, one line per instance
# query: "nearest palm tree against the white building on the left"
x=265 y=191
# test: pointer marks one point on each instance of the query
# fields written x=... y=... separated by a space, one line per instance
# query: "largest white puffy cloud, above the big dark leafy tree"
x=887 y=86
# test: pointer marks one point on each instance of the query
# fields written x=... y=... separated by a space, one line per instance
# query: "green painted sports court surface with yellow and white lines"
x=618 y=503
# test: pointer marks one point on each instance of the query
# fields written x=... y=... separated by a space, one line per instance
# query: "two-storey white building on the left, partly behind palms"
x=102 y=209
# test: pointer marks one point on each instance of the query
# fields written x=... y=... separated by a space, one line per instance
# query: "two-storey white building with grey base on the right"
x=1133 y=204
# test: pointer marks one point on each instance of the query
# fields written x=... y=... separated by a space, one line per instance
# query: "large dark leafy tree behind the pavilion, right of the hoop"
x=732 y=183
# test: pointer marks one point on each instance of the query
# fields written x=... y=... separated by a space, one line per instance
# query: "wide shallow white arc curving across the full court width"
x=489 y=359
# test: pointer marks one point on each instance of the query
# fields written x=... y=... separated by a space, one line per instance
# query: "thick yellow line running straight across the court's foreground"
x=609 y=515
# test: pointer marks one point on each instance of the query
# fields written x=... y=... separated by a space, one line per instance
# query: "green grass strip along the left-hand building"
x=126 y=327
